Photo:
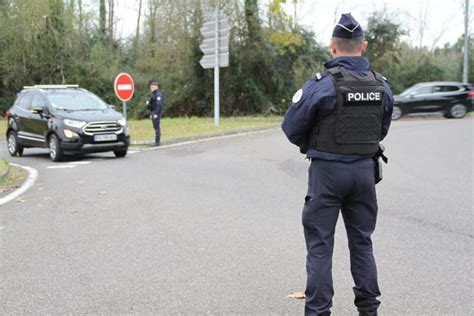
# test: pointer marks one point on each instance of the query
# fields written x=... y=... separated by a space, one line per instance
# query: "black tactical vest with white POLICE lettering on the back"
x=355 y=126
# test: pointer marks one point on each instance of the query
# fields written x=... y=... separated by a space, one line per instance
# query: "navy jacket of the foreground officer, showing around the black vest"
x=320 y=95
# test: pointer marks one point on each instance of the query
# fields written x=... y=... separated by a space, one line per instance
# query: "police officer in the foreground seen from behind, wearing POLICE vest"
x=337 y=119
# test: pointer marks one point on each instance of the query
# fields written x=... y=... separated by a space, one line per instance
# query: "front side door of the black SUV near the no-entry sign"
x=38 y=125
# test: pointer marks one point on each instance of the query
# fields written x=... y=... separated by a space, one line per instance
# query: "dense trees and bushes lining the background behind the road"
x=271 y=55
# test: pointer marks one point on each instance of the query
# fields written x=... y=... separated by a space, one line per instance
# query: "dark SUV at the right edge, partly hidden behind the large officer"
x=453 y=99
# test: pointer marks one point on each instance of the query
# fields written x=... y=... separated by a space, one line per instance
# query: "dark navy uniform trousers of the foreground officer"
x=348 y=188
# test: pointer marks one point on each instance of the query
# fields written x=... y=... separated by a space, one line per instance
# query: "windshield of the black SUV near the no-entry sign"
x=75 y=101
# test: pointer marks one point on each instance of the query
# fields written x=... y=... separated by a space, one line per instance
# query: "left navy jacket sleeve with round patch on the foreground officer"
x=299 y=119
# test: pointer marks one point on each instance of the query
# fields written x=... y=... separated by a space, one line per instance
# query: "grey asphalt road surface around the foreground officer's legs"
x=215 y=227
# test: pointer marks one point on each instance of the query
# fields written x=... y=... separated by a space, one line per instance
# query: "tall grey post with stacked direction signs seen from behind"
x=215 y=47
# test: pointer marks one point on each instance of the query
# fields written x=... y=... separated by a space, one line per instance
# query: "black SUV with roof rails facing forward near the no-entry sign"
x=67 y=120
